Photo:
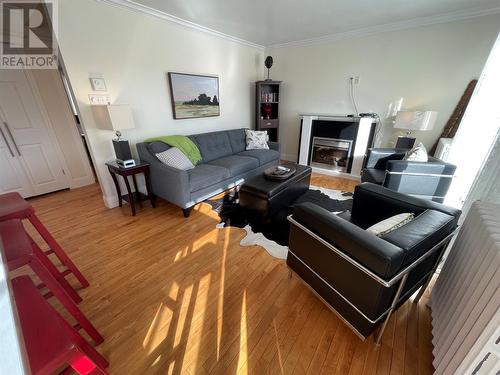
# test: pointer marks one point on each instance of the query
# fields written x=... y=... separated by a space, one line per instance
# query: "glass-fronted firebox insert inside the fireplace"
x=331 y=153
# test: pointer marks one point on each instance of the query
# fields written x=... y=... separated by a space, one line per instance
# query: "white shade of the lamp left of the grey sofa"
x=113 y=117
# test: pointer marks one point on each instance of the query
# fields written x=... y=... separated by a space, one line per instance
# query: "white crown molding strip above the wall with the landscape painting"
x=139 y=8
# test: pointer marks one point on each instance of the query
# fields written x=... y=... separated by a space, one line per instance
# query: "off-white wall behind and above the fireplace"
x=429 y=67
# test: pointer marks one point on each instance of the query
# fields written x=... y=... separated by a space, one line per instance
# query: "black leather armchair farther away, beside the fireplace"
x=429 y=180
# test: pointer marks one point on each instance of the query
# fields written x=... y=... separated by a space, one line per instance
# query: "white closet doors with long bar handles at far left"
x=29 y=156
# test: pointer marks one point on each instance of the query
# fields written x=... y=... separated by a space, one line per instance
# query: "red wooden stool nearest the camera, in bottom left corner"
x=49 y=340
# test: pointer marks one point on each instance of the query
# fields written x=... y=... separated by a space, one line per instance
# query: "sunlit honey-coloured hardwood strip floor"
x=179 y=296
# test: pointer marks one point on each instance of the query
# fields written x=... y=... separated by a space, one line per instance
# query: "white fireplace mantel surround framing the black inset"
x=361 y=144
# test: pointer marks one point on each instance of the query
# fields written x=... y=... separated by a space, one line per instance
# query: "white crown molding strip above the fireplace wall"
x=395 y=26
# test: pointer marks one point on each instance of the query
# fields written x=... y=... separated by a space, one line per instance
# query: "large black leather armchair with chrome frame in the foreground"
x=360 y=276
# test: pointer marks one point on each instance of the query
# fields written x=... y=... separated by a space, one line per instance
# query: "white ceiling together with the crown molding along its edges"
x=286 y=23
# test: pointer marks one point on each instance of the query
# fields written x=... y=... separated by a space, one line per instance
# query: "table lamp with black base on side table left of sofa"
x=116 y=117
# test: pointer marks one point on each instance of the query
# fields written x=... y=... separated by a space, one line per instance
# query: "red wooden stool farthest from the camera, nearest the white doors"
x=13 y=206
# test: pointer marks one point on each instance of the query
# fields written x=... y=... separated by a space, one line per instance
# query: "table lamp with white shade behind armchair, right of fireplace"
x=411 y=121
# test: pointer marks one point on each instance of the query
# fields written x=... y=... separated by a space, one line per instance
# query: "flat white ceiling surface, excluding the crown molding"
x=270 y=22
